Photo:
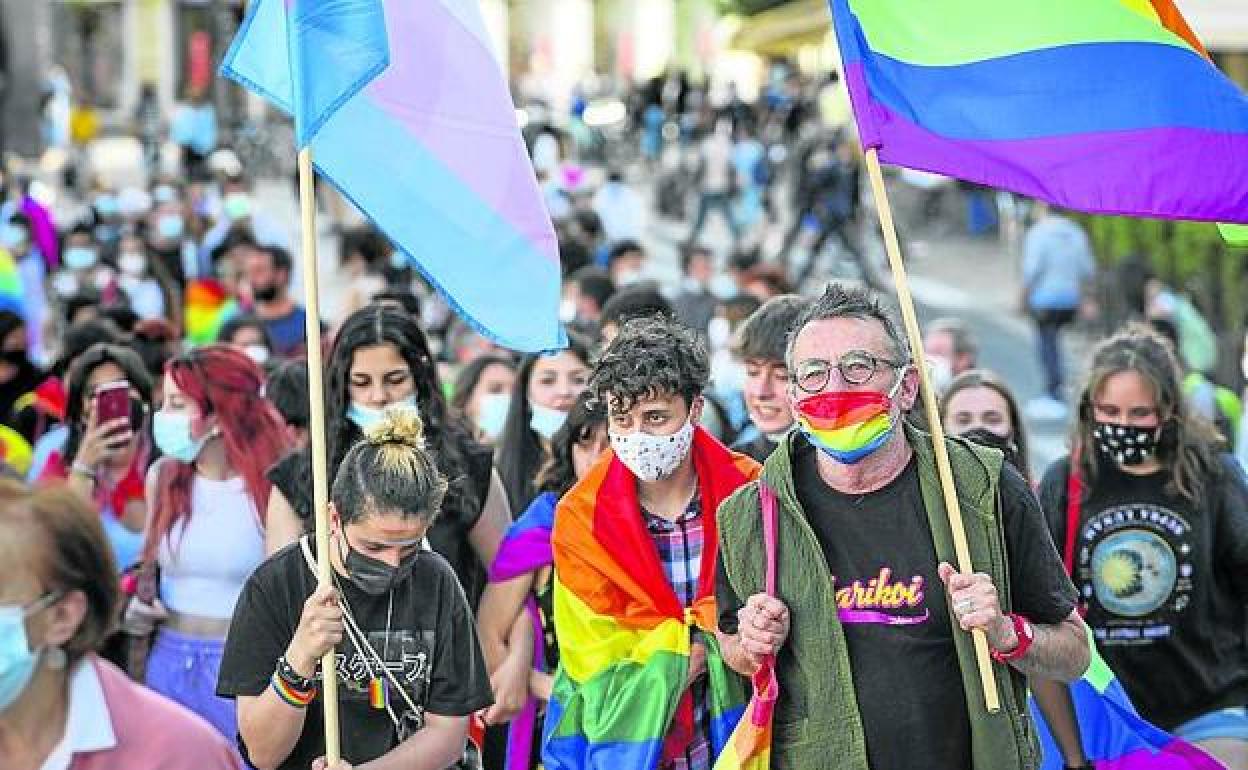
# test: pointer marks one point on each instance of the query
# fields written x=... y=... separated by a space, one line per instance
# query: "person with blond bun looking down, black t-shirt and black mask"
x=409 y=663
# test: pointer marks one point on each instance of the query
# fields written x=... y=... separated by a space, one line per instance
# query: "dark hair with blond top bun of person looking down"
x=390 y=471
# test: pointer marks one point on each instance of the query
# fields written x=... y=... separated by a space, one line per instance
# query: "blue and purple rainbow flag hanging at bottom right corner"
x=1115 y=737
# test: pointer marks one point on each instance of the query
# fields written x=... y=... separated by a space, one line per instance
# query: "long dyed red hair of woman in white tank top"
x=228 y=385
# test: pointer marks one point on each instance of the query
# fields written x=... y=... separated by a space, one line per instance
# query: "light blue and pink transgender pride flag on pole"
x=407 y=113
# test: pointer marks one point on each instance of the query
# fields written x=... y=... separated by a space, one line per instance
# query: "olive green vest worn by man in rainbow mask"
x=821 y=728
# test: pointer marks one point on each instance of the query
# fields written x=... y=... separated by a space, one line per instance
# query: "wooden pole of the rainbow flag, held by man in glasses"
x=929 y=395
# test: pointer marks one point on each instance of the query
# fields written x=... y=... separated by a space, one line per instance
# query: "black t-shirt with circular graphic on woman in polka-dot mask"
x=1165 y=585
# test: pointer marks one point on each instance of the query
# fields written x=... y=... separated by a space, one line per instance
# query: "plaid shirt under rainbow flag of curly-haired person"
x=681 y=548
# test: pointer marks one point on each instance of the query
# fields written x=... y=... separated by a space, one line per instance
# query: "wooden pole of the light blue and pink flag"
x=316 y=432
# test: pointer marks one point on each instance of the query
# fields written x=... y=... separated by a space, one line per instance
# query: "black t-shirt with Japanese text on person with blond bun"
x=427 y=641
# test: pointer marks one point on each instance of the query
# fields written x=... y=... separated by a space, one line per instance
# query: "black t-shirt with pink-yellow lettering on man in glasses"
x=894 y=611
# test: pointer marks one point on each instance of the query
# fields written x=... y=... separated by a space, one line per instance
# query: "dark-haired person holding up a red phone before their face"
x=108 y=450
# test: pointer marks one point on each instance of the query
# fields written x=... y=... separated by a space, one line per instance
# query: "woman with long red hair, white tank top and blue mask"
x=207 y=532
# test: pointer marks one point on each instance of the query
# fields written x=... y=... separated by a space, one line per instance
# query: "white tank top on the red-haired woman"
x=208 y=558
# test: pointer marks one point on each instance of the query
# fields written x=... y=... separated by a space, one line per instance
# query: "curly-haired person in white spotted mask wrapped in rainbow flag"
x=635 y=558
